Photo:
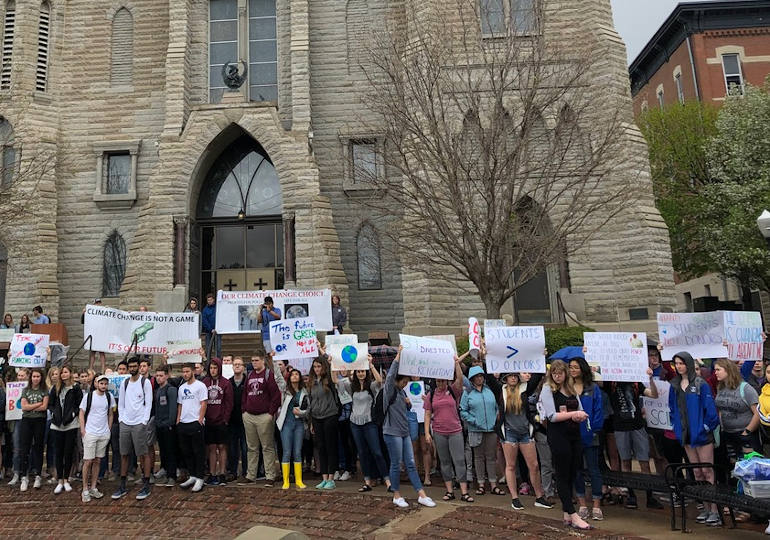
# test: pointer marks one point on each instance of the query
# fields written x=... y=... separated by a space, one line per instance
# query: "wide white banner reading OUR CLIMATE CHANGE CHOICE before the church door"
x=238 y=311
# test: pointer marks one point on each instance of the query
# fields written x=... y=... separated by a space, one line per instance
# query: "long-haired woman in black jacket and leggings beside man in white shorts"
x=64 y=402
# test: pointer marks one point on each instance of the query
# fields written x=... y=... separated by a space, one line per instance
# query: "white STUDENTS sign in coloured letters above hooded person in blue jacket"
x=700 y=334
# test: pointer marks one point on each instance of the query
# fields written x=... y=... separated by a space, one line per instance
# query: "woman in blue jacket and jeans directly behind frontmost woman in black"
x=592 y=403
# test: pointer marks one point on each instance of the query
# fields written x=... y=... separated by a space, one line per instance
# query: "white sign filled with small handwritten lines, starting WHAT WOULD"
x=621 y=356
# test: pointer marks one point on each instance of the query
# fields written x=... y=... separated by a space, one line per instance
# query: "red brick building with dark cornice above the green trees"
x=700 y=51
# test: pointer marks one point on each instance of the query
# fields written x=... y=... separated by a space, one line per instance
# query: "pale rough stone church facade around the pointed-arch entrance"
x=163 y=184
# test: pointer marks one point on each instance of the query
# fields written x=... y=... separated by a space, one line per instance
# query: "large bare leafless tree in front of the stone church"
x=498 y=155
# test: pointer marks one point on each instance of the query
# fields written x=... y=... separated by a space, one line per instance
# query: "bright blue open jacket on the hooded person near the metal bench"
x=701 y=414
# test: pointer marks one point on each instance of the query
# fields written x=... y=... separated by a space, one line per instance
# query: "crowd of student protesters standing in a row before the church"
x=517 y=434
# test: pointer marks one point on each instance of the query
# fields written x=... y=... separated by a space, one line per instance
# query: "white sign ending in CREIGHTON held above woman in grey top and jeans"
x=425 y=357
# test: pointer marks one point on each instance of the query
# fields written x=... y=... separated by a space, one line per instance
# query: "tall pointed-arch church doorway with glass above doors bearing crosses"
x=238 y=226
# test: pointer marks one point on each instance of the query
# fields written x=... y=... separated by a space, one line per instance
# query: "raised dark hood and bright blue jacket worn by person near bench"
x=693 y=412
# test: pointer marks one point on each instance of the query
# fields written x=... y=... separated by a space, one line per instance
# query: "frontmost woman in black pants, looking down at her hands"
x=562 y=410
